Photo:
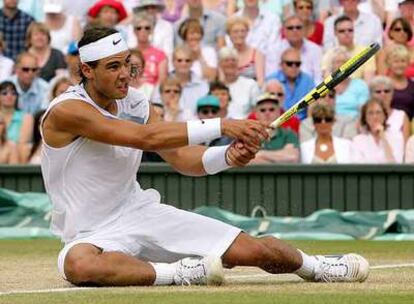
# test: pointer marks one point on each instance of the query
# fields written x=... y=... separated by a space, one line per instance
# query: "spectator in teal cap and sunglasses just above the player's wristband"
x=209 y=107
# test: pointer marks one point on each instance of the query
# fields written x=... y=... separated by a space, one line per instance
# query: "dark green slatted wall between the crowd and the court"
x=283 y=190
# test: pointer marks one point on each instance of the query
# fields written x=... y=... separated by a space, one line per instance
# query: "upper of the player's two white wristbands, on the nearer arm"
x=201 y=131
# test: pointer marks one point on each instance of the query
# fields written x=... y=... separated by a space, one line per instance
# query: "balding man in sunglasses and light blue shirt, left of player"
x=32 y=89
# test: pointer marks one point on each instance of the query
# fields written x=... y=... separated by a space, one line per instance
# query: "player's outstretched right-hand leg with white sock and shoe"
x=275 y=256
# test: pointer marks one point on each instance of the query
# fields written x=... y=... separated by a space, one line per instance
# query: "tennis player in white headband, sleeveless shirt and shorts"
x=116 y=233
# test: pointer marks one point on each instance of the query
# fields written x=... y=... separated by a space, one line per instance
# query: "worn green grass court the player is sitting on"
x=28 y=274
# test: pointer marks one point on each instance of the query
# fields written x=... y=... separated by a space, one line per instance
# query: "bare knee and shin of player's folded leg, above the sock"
x=85 y=264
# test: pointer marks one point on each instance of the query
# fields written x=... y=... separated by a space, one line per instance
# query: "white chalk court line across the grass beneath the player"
x=232 y=277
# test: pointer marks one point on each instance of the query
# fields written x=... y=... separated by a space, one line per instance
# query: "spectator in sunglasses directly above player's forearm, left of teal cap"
x=170 y=92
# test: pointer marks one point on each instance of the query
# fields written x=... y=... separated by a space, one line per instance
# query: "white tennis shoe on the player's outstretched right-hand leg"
x=341 y=268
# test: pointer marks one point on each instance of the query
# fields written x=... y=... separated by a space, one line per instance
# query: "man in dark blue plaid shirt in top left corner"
x=13 y=25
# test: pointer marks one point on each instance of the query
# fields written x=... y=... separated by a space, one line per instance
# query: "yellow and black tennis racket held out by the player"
x=329 y=83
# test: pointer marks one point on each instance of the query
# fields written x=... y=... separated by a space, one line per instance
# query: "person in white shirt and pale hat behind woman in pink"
x=163 y=32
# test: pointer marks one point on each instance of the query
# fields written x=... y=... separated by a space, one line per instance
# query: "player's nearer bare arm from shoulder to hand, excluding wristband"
x=73 y=118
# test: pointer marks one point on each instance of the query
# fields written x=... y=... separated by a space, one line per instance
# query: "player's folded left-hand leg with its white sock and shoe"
x=85 y=264
